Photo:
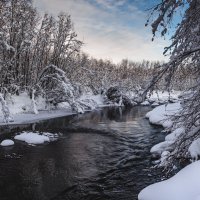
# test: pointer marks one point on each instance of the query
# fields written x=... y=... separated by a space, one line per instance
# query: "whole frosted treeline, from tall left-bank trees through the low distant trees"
x=42 y=55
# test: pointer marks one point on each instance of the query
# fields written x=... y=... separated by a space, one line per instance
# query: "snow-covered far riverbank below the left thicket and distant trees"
x=22 y=112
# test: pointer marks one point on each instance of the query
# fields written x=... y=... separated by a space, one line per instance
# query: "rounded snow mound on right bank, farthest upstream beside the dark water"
x=161 y=114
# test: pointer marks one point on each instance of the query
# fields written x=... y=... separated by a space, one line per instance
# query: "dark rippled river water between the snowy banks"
x=101 y=155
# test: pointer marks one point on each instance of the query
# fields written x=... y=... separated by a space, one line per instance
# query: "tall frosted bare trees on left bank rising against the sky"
x=30 y=43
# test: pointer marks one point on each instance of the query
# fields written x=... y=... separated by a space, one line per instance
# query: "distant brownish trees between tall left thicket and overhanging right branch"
x=100 y=74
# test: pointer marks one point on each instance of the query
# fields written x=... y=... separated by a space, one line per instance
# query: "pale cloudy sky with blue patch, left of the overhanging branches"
x=110 y=29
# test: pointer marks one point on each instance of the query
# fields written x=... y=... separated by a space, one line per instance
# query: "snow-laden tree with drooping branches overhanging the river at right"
x=184 y=52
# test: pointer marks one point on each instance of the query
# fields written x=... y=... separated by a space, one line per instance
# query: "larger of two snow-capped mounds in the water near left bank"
x=35 y=137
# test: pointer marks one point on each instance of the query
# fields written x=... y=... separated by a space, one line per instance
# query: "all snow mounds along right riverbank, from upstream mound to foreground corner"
x=184 y=185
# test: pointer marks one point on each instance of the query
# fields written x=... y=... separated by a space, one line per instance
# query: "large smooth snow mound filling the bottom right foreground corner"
x=183 y=186
